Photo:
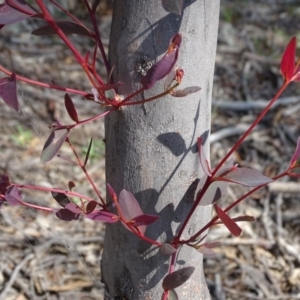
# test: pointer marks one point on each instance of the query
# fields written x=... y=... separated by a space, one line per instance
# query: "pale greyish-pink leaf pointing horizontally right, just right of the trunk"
x=246 y=176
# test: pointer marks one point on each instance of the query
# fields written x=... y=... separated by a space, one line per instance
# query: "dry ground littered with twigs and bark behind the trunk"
x=45 y=258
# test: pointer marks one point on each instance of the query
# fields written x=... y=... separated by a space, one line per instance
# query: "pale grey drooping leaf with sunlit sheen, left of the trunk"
x=53 y=144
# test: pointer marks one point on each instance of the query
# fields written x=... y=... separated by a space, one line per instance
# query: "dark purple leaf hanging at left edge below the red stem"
x=8 y=90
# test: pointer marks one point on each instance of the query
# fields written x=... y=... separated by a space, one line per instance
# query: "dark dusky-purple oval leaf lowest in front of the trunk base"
x=177 y=278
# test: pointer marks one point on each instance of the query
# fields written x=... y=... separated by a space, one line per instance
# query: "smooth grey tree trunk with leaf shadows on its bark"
x=151 y=149
